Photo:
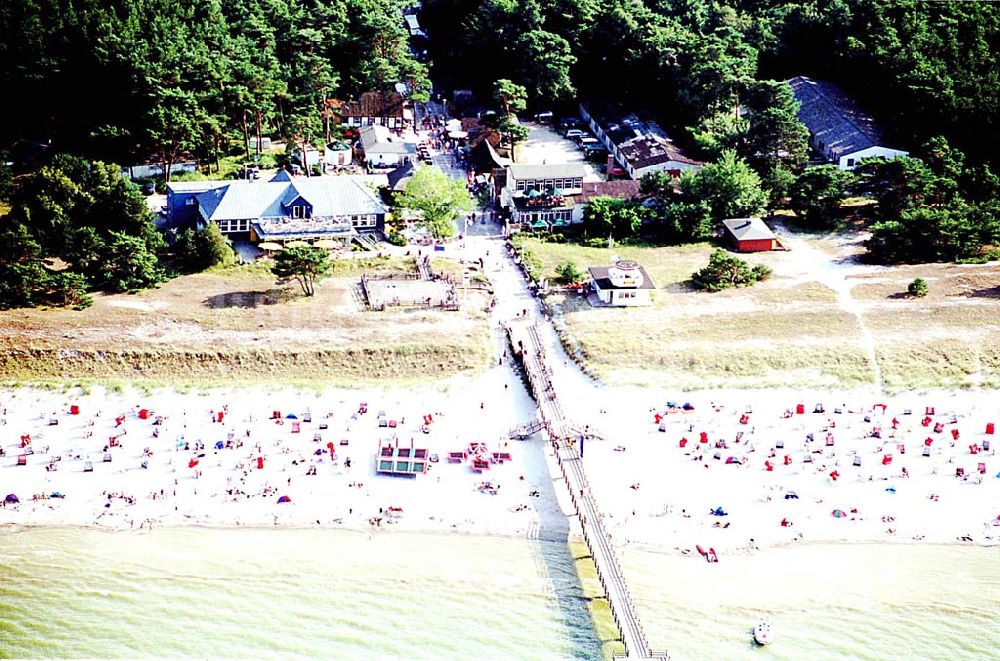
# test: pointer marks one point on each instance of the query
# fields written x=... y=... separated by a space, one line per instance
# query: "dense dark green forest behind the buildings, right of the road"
x=922 y=68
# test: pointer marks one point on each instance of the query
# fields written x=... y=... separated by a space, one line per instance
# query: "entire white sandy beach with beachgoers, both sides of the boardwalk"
x=659 y=470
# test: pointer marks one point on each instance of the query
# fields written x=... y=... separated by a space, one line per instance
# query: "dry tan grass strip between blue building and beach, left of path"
x=234 y=325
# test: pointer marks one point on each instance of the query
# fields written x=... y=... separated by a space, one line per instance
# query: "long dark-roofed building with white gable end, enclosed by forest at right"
x=838 y=128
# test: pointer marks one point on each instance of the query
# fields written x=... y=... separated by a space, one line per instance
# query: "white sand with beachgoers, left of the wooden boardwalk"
x=447 y=497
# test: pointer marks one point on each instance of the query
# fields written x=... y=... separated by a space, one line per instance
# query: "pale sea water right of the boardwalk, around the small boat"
x=823 y=601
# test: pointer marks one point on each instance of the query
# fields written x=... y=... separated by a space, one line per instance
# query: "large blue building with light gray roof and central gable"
x=282 y=209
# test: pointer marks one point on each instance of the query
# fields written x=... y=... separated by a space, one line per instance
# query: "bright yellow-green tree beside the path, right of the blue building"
x=440 y=198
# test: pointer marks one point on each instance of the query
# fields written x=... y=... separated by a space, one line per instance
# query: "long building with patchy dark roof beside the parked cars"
x=638 y=143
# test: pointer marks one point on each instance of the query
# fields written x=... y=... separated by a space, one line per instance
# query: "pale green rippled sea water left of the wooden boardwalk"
x=254 y=593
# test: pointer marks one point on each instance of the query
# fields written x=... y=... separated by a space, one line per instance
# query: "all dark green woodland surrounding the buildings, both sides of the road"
x=122 y=81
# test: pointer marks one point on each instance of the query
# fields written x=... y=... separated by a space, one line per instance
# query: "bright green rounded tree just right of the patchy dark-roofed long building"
x=729 y=187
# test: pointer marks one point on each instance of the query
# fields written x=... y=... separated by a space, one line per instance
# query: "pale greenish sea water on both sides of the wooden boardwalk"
x=268 y=593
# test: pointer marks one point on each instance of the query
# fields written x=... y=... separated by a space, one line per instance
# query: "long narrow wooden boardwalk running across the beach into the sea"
x=525 y=341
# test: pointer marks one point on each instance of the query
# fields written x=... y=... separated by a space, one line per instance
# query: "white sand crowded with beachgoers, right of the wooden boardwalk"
x=677 y=487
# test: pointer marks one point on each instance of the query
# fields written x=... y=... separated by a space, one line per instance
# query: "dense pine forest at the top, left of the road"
x=123 y=81
